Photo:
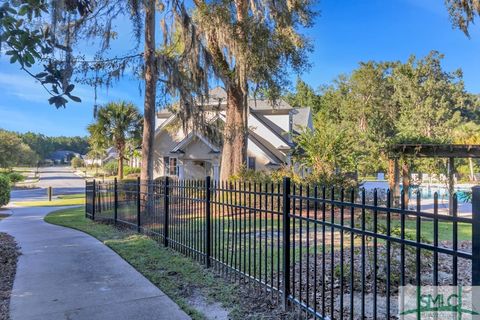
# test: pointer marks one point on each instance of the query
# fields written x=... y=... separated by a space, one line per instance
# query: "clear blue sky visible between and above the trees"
x=346 y=32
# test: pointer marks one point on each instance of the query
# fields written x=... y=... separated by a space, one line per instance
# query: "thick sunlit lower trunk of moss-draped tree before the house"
x=234 y=153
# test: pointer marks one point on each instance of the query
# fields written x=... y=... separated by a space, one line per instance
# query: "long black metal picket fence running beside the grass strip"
x=334 y=253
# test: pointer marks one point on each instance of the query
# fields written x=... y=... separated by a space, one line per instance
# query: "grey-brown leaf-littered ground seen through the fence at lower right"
x=319 y=287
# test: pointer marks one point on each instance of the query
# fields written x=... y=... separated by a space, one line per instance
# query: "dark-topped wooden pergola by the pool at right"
x=446 y=151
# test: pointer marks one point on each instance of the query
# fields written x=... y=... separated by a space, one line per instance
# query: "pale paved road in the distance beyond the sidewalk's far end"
x=61 y=179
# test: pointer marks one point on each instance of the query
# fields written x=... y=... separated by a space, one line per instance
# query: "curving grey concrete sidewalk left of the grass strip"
x=67 y=274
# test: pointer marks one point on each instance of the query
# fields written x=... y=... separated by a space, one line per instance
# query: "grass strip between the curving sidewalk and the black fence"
x=178 y=276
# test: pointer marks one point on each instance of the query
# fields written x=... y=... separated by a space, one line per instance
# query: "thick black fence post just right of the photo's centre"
x=286 y=242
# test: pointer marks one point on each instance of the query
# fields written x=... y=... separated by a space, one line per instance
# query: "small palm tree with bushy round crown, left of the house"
x=116 y=125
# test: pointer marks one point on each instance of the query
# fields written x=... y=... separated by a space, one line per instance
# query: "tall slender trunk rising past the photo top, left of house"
x=150 y=93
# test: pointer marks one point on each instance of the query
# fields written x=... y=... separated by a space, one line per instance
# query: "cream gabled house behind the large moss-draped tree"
x=193 y=155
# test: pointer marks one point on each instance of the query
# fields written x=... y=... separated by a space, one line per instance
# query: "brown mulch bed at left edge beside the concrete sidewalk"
x=9 y=252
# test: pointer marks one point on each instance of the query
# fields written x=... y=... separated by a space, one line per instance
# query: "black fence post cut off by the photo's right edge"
x=476 y=247
